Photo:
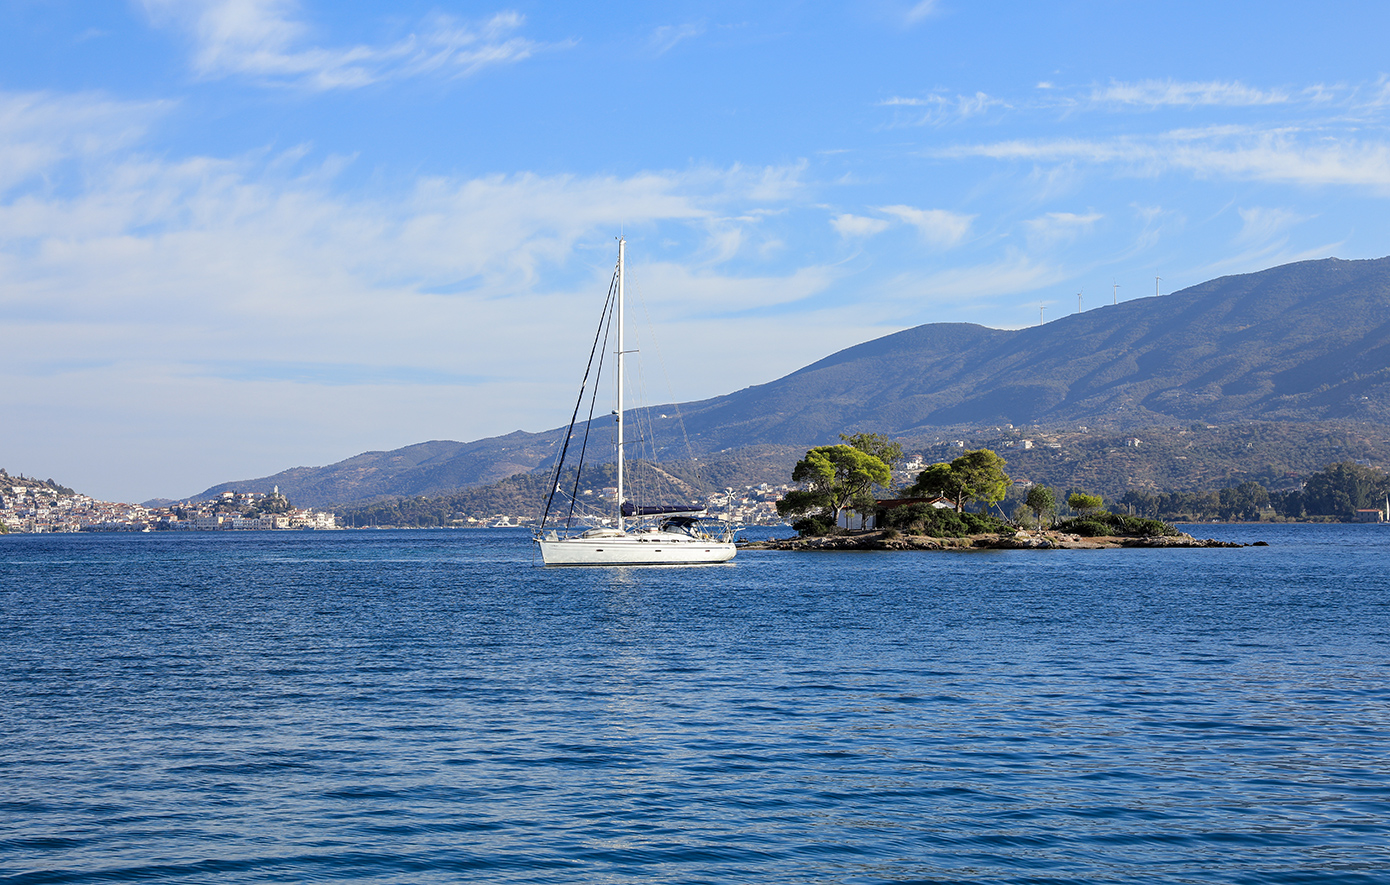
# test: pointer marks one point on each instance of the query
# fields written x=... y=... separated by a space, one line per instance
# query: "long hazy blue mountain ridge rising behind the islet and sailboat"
x=1302 y=342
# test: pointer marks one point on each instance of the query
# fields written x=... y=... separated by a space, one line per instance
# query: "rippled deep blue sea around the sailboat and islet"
x=434 y=706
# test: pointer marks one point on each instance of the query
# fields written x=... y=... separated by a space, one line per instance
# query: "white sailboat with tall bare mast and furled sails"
x=637 y=536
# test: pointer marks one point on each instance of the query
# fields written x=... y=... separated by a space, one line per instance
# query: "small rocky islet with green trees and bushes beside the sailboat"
x=931 y=513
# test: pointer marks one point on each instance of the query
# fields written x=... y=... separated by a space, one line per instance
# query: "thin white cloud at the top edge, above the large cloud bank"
x=268 y=42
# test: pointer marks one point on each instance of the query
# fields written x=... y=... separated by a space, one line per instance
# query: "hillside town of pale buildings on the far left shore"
x=34 y=506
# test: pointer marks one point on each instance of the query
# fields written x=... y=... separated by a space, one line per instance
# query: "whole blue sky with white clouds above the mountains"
x=240 y=237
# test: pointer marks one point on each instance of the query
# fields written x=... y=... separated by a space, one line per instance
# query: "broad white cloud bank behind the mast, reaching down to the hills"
x=237 y=292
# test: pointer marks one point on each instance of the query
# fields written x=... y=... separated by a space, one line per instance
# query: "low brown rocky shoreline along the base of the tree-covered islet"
x=1017 y=541
